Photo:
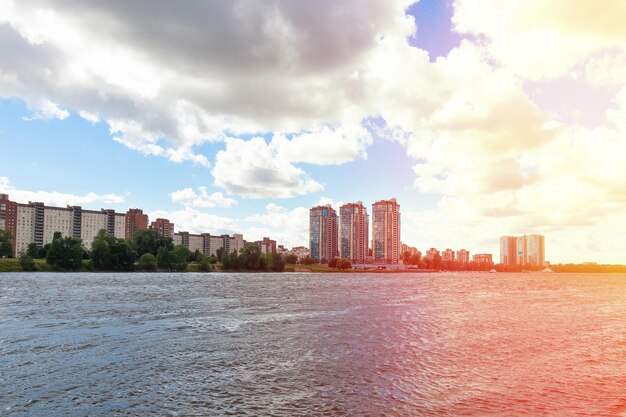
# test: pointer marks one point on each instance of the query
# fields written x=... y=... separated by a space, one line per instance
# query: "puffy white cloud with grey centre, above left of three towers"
x=253 y=169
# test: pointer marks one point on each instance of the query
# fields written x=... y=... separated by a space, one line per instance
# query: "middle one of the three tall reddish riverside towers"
x=353 y=231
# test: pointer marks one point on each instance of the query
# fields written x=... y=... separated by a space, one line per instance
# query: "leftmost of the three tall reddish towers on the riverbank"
x=323 y=233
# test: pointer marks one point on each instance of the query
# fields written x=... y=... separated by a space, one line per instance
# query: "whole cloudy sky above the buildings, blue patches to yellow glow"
x=482 y=118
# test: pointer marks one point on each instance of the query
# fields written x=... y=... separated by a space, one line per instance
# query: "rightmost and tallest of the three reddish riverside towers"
x=386 y=230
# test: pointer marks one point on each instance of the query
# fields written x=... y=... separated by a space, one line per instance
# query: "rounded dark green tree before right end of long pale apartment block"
x=112 y=254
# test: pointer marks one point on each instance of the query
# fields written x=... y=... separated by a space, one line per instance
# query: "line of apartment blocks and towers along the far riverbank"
x=330 y=235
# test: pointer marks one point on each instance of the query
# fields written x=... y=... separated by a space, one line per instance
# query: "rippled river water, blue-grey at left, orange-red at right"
x=313 y=344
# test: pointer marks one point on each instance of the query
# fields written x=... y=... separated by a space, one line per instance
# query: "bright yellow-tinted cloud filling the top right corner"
x=539 y=39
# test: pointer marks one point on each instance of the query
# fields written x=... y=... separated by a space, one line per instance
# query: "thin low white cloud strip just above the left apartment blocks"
x=56 y=198
